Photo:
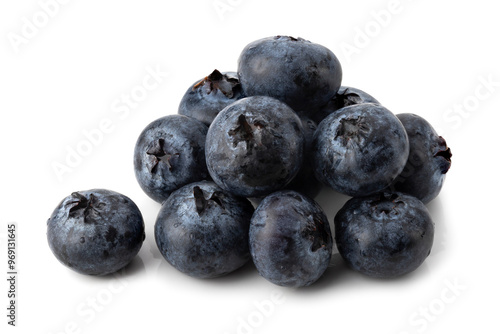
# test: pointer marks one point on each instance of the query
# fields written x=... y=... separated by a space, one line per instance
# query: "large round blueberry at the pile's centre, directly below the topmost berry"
x=255 y=146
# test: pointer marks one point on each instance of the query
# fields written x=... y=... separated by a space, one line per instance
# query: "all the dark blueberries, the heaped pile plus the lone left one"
x=271 y=134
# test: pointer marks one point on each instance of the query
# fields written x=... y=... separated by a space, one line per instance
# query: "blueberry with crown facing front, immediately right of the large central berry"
x=360 y=149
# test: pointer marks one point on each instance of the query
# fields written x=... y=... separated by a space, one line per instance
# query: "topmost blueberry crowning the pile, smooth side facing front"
x=302 y=74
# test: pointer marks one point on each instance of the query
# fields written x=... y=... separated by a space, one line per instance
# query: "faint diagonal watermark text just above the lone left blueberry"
x=121 y=108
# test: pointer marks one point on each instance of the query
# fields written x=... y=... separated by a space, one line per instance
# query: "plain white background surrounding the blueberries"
x=70 y=74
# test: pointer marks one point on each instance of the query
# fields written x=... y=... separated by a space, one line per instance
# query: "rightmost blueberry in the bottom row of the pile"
x=384 y=235
